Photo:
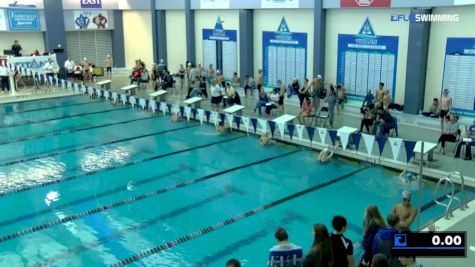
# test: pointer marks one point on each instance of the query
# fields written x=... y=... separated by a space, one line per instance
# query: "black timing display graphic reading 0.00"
x=437 y=244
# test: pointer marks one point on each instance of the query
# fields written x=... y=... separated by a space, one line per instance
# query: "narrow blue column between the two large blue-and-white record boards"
x=319 y=33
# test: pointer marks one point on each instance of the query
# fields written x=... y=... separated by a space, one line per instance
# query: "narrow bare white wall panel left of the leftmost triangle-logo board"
x=176 y=39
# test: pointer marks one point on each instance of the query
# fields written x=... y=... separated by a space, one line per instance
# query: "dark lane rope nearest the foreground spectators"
x=211 y=228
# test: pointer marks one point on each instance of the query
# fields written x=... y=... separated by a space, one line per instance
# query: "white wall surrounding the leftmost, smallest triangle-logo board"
x=205 y=19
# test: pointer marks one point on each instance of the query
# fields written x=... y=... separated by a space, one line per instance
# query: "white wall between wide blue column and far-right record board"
x=439 y=32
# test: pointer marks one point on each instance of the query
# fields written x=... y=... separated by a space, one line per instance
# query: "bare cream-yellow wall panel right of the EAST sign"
x=138 y=37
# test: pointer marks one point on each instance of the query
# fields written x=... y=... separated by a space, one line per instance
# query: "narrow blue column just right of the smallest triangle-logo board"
x=246 y=43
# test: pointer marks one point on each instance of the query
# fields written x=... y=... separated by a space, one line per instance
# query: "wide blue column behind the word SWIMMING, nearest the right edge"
x=416 y=67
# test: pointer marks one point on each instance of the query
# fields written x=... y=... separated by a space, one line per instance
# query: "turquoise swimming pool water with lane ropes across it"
x=85 y=183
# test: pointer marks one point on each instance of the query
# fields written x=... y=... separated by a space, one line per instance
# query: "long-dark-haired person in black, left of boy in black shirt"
x=320 y=253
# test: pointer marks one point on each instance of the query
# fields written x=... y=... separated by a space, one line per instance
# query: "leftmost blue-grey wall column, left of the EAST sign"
x=55 y=34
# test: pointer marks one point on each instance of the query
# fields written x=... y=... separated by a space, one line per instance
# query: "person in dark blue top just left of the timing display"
x=384 y=239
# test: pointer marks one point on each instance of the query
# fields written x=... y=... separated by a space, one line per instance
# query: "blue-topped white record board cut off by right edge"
x=459 y=75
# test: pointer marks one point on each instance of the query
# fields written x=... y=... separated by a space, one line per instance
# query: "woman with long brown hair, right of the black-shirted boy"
x=373 y=222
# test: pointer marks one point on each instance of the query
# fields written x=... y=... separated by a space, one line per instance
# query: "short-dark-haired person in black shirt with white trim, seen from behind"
x=342 y=247
